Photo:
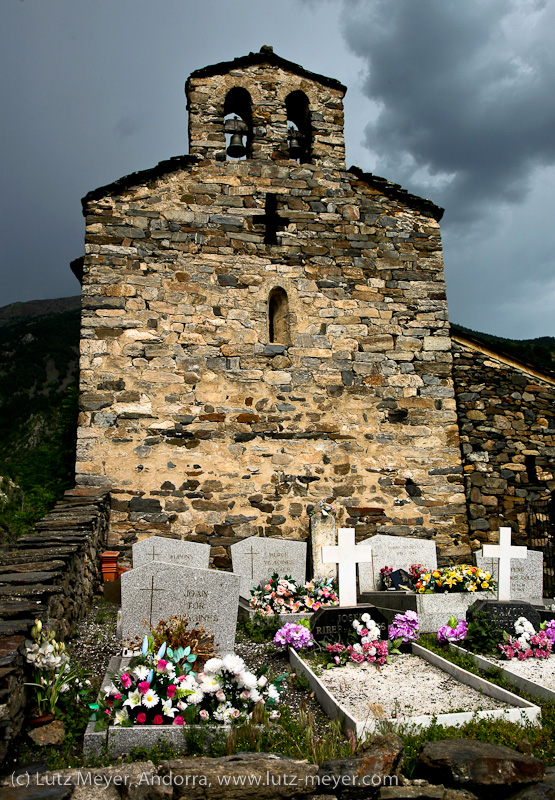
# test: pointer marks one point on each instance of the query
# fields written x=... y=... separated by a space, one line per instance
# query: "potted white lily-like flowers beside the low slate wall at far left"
x=53 y=673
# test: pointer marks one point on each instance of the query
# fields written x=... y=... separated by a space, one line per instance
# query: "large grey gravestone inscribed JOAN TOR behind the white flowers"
x=157 y=590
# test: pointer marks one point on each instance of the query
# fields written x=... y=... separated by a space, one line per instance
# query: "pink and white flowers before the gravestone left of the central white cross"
x=283 y=596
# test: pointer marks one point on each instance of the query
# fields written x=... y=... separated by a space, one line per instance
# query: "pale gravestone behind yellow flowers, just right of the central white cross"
x=397 y=552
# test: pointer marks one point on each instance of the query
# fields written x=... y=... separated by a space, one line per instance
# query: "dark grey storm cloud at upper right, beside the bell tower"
x=465 y=92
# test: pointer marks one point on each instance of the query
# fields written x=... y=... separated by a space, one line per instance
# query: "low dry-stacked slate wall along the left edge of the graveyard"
x=51 y=575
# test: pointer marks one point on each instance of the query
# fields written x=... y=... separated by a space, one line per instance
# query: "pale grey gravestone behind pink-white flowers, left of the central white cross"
x=256 y=559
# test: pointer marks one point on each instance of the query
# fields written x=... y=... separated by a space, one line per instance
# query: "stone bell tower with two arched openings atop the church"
x=262 y=107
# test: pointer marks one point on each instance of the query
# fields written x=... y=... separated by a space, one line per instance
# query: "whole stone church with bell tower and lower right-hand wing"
x=264 y=329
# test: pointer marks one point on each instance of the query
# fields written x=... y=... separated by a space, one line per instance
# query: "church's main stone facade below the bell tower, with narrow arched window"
x=204 y=430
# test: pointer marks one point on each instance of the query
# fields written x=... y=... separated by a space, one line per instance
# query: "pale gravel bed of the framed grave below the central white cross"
x=407 y=687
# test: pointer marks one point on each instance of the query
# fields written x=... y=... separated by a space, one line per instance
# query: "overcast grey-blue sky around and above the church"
x=454 y=99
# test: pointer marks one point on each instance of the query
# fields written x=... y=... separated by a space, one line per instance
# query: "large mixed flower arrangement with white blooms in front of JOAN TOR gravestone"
x=165 y=691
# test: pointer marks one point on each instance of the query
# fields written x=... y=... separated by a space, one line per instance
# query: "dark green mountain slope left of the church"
x=38 y=408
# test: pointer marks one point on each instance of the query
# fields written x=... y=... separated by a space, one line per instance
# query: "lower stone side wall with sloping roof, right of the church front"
x=507 y=426
